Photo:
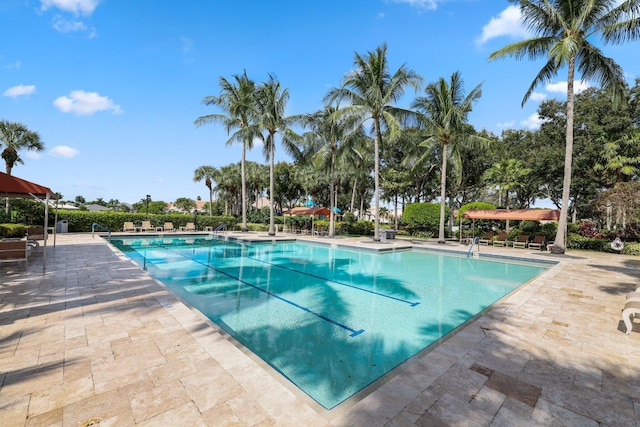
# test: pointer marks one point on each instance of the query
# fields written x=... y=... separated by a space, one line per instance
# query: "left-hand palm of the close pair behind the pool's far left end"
x=237 y=100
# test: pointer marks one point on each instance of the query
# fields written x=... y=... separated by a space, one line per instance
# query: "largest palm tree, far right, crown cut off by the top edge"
x=562 y=31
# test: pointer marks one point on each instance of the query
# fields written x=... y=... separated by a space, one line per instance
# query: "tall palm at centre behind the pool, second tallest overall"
x=372 y=91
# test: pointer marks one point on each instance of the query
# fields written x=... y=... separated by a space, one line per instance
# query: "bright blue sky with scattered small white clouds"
x=113 y=86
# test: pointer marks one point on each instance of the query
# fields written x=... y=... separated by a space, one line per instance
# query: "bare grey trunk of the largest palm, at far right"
x=558 y=246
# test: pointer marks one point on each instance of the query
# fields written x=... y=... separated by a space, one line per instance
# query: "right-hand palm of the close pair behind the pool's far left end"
x=271 y=103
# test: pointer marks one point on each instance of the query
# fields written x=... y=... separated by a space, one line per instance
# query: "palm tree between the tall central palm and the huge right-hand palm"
x=444 y=111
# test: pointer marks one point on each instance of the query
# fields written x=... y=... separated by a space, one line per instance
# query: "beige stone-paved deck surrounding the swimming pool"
x=94 y=340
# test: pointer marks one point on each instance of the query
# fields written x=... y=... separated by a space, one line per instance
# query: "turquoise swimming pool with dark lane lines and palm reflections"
x=331 y=320
